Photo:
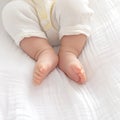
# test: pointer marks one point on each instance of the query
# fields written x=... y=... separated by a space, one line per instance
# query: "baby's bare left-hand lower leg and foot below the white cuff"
x=43 y=53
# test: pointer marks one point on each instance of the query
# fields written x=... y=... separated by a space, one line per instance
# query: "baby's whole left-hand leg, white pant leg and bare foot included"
x=21 y=23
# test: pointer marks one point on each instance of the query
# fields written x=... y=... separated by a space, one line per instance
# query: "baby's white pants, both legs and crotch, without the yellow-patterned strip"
x=69 y=17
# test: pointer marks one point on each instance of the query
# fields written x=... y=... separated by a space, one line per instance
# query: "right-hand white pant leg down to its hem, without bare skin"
x=73 y=17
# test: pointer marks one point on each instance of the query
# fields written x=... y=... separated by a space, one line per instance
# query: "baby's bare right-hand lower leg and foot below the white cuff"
x=71 y=47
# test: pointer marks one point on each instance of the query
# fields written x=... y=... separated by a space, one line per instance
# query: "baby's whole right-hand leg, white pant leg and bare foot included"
x=73 y=25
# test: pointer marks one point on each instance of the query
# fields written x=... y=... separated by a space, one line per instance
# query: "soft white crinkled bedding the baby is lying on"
x=58 y=98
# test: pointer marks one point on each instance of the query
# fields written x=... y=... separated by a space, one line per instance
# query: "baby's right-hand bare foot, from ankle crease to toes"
x=70 y=65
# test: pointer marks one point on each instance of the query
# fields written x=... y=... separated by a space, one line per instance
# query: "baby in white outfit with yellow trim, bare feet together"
x=38 y=25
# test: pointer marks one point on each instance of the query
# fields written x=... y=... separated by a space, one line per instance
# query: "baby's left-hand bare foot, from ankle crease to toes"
x=46 y=62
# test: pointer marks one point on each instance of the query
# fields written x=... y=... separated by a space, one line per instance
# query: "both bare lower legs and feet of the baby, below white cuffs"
x=47 y=60
